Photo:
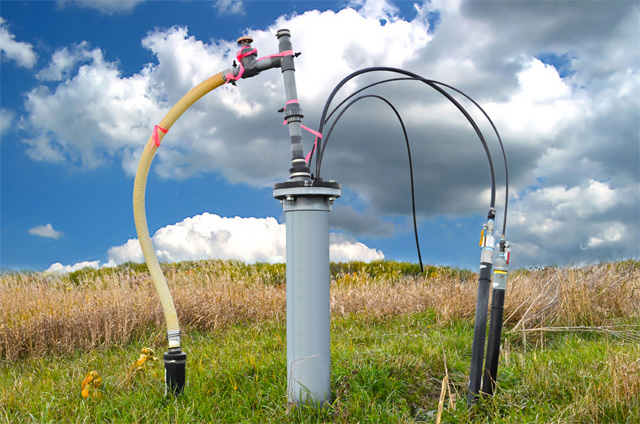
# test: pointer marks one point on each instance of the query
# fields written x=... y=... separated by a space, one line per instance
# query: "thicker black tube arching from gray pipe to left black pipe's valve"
x=320 y=148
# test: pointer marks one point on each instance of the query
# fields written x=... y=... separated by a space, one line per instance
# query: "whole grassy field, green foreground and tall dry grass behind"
x=401 y=344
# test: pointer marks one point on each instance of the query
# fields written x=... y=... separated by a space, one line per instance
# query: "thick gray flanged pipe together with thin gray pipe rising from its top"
x=306 y=204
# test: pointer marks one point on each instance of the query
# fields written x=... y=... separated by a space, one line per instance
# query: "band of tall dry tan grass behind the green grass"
x=42 y=314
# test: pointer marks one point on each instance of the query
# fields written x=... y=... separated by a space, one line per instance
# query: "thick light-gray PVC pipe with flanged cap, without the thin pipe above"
x=308 y=307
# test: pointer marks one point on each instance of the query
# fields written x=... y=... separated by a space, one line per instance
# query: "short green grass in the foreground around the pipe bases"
x=384 y=370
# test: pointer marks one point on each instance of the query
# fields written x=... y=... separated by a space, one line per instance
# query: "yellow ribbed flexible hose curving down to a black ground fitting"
x=139 y=214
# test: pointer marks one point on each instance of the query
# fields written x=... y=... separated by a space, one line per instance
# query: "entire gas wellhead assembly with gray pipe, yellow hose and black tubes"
x=306 y=200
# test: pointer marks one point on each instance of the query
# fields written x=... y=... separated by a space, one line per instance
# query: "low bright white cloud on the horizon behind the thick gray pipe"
x=209 y=236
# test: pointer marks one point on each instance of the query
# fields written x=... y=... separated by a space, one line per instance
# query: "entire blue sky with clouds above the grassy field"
x=84 y=82
